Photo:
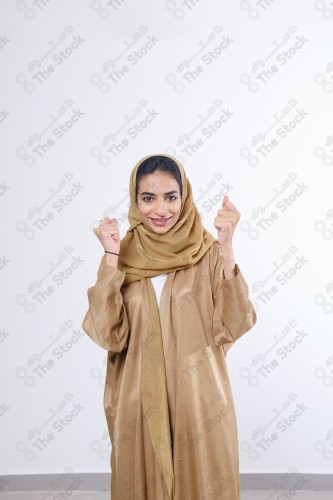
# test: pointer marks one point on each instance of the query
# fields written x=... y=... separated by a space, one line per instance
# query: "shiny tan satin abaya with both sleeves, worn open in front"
x=201 y=314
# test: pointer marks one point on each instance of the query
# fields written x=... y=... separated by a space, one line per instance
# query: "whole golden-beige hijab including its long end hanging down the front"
x=143 y=254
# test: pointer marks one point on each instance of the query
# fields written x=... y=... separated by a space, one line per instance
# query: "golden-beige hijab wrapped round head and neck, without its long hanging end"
x=144 y=253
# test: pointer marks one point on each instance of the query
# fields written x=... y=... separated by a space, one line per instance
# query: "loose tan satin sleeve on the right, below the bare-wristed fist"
x=234 y=313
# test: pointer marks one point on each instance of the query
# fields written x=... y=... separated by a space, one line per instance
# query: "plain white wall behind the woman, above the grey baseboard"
x=70 y=125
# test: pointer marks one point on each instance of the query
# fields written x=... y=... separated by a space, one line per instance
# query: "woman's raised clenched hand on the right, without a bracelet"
x=225 y=222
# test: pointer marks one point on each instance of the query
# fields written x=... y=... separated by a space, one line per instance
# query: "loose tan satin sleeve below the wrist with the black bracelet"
x=106 y=321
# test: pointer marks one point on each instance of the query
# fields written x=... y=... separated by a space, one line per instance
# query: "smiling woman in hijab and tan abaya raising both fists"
x=168 y=400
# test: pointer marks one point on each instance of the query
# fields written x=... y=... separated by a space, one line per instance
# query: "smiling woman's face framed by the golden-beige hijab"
x=159 y=201
